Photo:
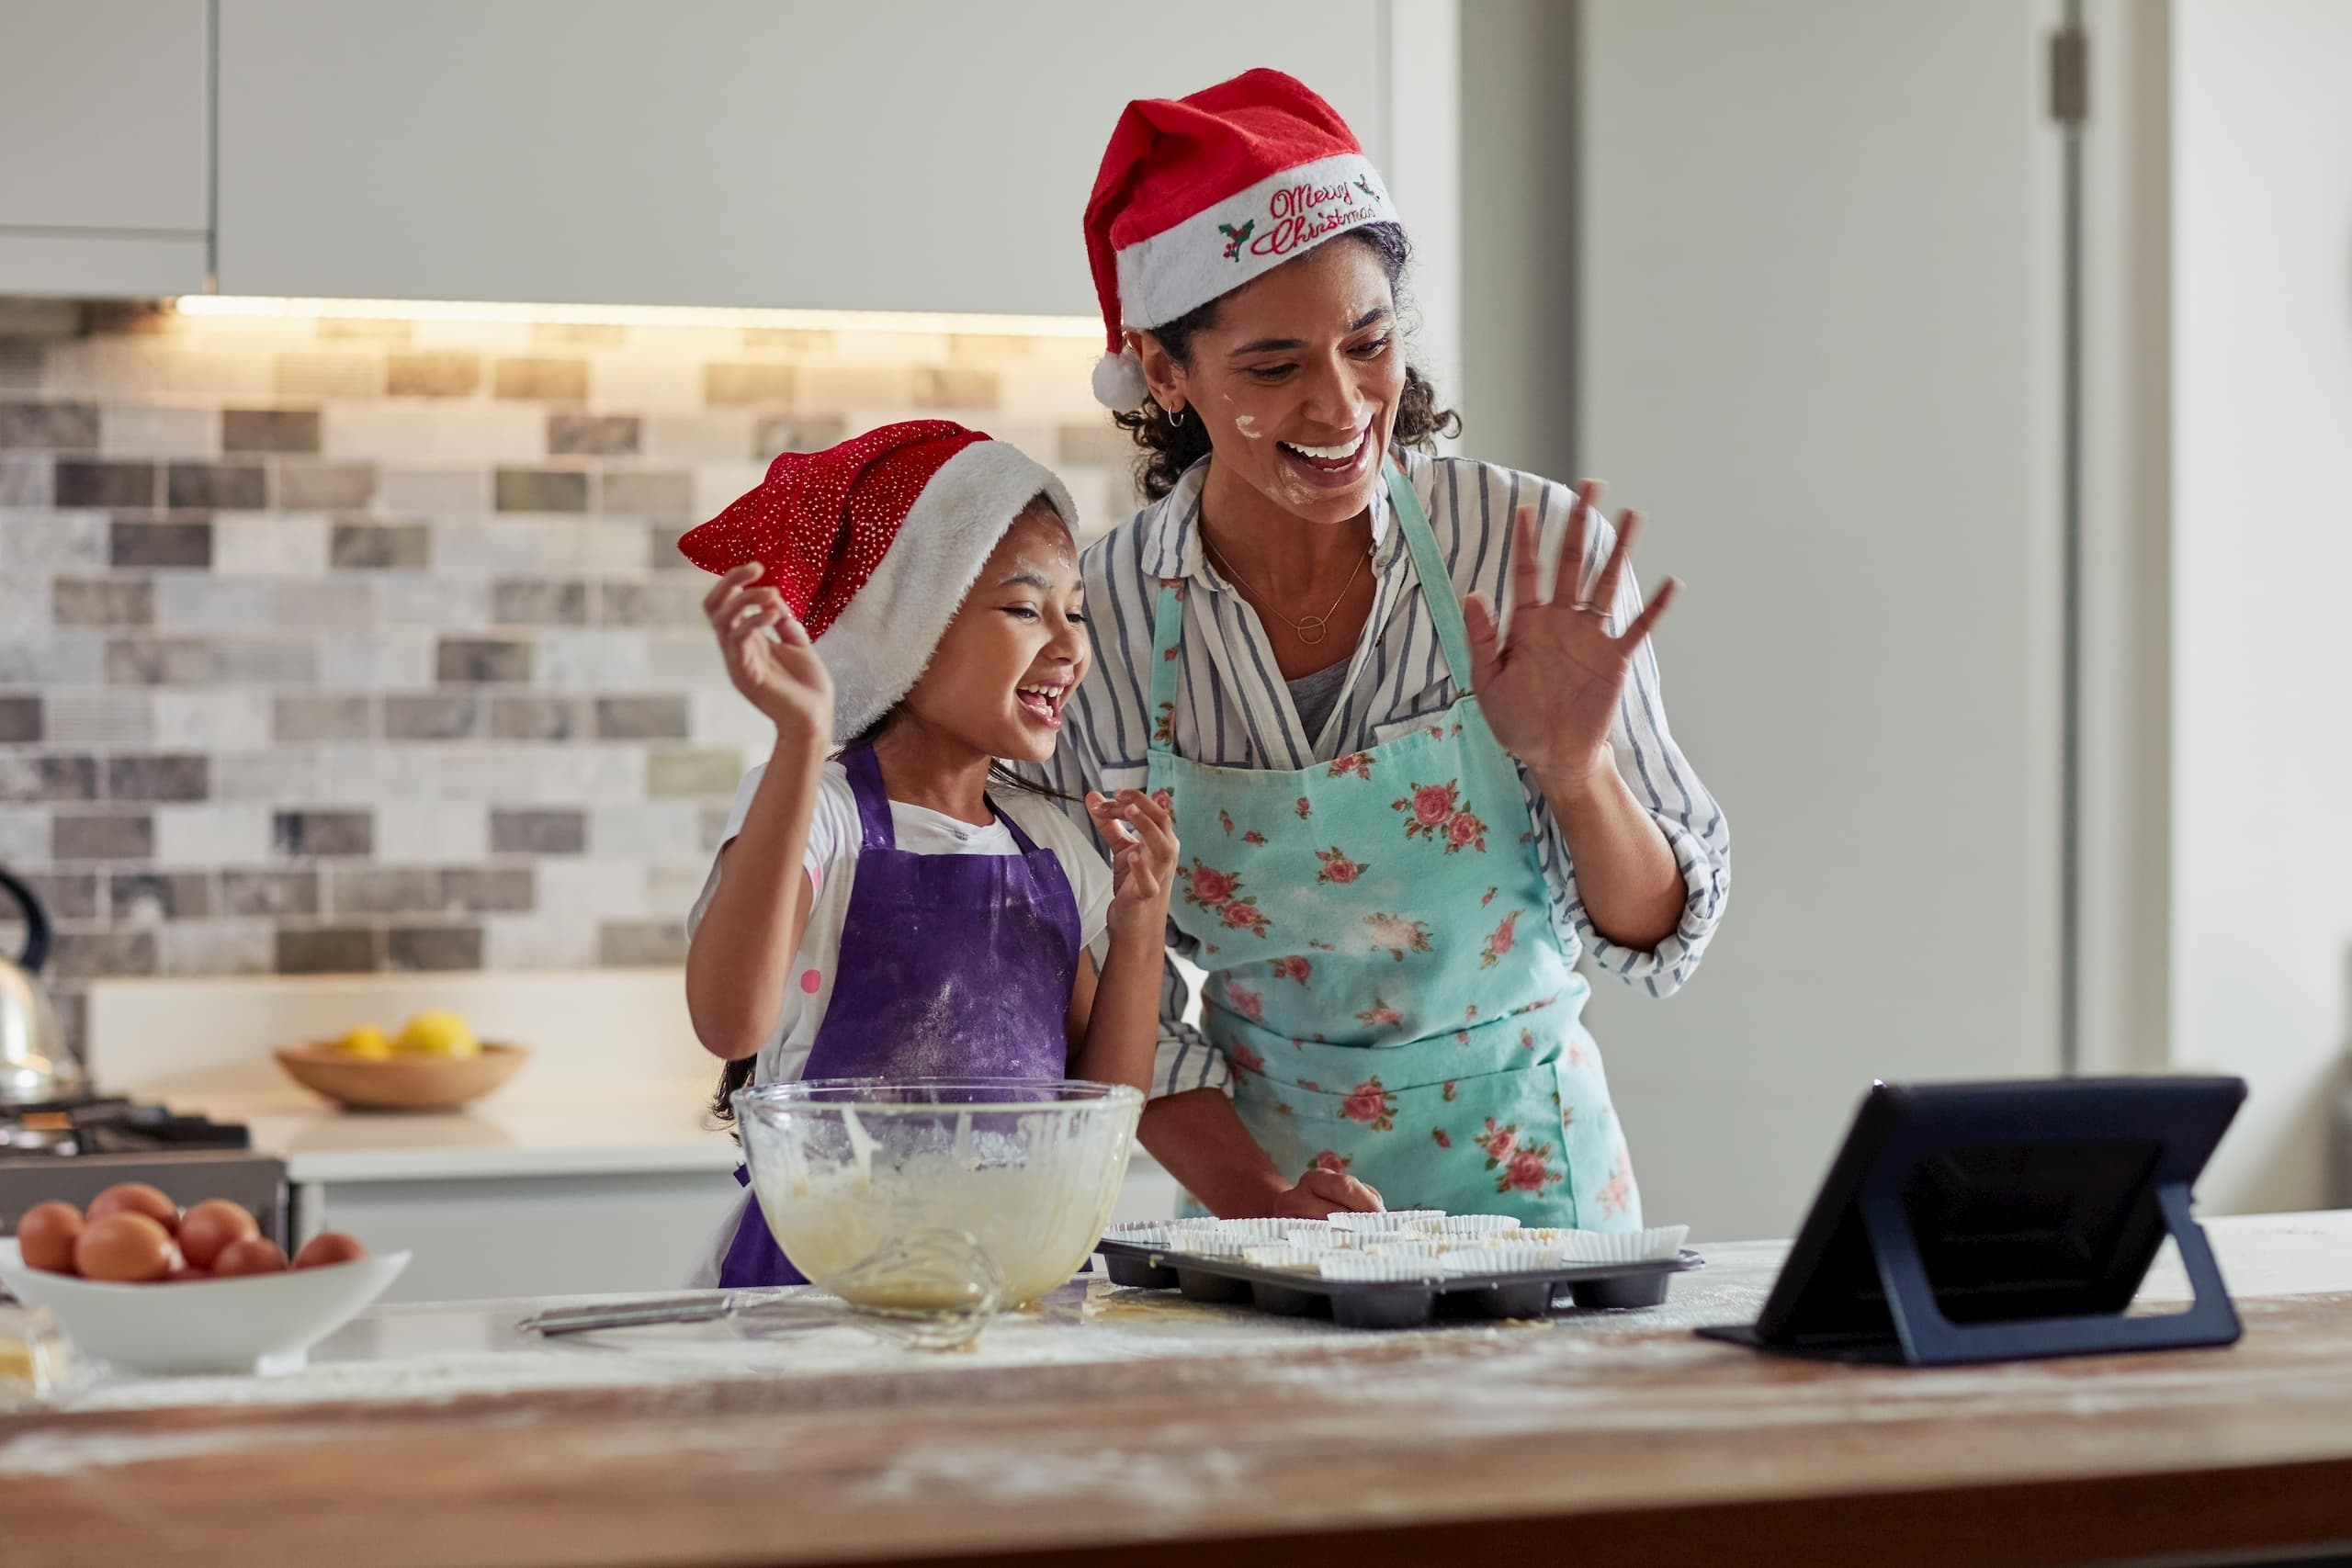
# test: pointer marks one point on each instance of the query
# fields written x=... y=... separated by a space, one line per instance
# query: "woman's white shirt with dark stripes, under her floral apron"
x=1236 y=711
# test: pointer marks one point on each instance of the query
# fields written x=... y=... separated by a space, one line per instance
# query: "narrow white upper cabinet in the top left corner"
x=105 y=185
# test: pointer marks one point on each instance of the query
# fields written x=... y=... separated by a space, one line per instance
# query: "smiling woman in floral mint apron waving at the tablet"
x=1417 y=772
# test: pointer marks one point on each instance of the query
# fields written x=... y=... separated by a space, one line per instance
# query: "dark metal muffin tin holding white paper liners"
x=1391 y=1304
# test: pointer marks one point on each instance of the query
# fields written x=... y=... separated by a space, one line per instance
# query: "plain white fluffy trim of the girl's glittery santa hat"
x=890 y=629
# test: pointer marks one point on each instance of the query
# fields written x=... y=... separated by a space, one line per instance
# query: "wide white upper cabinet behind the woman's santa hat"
x=881 y=156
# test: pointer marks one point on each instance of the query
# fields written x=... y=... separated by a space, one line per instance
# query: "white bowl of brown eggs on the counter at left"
x=152 y=1289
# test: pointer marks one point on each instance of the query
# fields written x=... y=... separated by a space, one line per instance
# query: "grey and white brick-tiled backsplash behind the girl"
x=349 y=645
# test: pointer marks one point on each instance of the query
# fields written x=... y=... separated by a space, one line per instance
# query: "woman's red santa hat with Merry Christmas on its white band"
x=1203 y=194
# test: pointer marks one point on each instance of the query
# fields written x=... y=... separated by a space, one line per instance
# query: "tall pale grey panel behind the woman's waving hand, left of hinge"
x=1819 y=347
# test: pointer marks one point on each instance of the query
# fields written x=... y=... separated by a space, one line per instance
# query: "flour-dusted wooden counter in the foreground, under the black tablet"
x=1165 y=1428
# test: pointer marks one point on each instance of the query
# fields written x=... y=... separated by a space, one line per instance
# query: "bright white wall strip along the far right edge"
x=2261 y=918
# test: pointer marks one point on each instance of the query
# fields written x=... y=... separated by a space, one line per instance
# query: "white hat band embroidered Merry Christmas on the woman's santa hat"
x=1248 y=236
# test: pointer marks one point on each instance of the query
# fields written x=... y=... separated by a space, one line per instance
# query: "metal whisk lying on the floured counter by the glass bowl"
x=947 y=1282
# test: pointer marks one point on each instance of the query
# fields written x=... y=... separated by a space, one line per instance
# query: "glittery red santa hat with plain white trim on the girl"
x=876 y=544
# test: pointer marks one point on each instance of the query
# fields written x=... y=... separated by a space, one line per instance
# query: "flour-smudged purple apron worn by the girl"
x=951 y=967
